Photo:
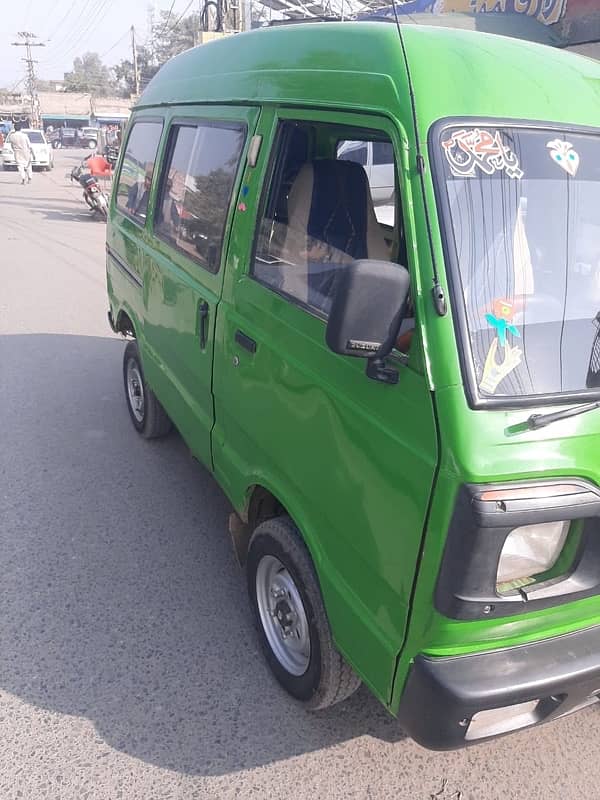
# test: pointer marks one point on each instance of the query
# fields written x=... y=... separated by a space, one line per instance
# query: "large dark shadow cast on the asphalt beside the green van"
x=122 y=601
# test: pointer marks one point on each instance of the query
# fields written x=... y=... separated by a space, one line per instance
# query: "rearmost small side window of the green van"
x=137 y=169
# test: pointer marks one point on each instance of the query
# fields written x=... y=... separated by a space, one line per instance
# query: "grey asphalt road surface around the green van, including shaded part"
x=129 y=666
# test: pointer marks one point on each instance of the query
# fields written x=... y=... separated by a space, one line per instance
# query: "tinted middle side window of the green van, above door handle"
x=201 y=164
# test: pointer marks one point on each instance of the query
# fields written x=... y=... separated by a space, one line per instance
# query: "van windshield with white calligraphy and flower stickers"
x=522 y=210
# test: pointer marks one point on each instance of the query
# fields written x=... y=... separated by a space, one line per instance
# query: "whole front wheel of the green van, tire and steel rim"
x=291 y=619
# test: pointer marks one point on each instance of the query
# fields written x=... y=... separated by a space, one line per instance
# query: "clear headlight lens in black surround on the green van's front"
x=531 y=550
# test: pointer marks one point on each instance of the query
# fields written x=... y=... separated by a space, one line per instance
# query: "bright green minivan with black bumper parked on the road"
x=402 y=402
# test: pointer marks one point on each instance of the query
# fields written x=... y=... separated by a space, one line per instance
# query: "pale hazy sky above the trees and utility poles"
x=72 y=27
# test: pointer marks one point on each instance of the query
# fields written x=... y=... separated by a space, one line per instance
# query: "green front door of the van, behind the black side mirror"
x=351 y=460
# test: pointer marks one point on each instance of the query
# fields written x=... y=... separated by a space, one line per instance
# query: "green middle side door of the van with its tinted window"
x=183 y=277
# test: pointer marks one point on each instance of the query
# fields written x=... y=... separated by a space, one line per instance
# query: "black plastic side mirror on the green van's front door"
x=369 y=303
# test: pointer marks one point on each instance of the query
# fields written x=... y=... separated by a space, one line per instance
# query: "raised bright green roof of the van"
x=360 y=65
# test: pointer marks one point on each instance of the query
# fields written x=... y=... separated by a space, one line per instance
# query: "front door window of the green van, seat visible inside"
x=323 y=221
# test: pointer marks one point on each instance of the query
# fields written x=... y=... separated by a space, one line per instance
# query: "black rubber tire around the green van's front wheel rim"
x=327 y=679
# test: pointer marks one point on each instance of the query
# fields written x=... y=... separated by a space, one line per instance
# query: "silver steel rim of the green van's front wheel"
x=282 y=615
